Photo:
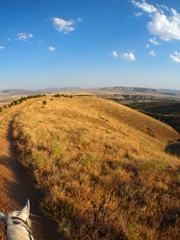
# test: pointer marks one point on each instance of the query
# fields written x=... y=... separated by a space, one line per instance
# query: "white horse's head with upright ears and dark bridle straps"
x=17 y=224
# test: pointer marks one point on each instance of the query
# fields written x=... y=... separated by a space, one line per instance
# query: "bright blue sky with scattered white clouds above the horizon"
x=89 y=43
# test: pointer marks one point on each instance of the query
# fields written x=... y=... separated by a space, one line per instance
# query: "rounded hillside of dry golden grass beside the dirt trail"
x=102 y=167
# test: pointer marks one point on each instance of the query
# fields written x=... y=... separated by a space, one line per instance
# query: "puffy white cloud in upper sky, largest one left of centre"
x=62 y=25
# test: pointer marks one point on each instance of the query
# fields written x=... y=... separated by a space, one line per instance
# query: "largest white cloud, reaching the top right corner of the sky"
x=167 y=27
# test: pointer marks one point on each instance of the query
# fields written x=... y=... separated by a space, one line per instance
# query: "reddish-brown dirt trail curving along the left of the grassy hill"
x=16 y=186
